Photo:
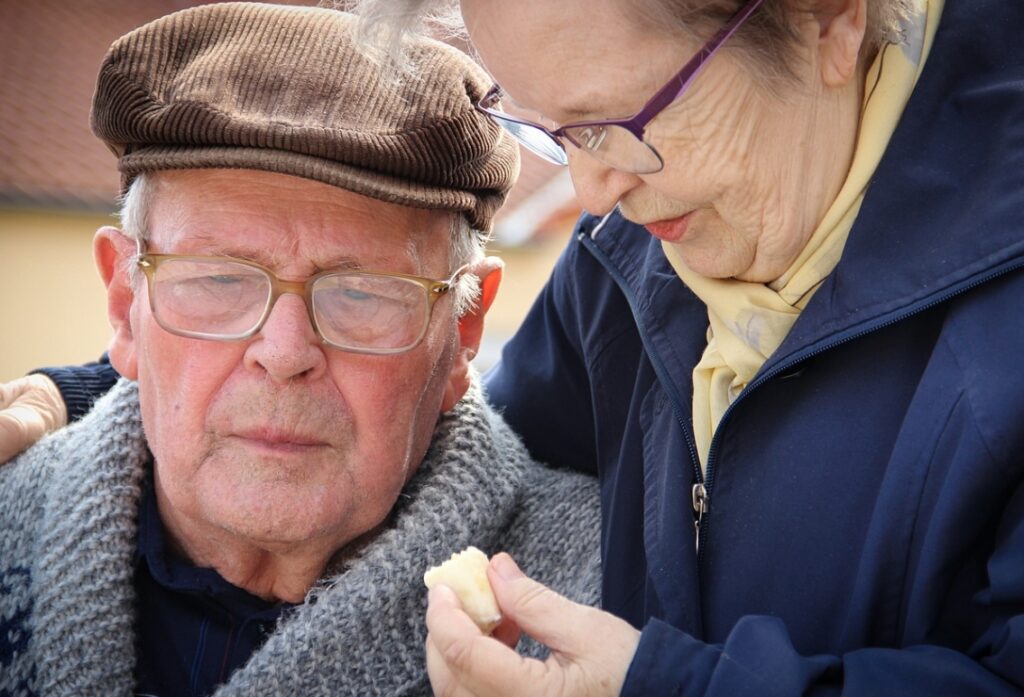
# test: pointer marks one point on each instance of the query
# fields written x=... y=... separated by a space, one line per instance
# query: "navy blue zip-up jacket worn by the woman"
x=866 y=530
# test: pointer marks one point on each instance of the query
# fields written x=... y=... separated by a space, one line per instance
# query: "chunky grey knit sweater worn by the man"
x=68 y=527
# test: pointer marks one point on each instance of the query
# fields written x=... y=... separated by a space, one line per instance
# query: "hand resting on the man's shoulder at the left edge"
x=30 y=408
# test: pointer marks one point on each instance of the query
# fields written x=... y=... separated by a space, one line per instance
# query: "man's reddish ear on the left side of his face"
x=113 y=253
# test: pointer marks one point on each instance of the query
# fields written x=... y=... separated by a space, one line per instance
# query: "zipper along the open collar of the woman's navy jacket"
x=701 y=493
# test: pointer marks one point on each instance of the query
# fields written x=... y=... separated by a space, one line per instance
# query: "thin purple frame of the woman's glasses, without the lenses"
x=669 y=94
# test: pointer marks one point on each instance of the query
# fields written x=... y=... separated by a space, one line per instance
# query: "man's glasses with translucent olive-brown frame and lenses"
x=227 y=299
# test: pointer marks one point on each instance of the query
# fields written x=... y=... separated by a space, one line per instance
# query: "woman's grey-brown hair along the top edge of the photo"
x=769 y=36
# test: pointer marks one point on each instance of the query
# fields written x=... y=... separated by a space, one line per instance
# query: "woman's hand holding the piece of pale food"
x=591 y=650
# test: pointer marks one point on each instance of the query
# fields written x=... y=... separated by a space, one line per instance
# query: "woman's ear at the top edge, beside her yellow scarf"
x=843 y=24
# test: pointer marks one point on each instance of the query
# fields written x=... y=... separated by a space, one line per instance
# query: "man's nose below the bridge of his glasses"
x=287 y=346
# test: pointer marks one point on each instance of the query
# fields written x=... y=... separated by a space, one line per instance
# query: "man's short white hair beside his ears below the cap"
x=466 y=247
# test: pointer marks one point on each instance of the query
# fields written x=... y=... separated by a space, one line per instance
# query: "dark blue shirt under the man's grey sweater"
x=195 y=629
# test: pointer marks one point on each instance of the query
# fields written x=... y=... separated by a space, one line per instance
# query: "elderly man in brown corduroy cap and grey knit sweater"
x=296 y=293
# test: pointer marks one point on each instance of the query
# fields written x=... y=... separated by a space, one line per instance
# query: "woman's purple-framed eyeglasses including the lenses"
x=618 y=143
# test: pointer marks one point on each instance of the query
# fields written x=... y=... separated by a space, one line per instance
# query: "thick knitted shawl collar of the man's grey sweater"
x=360 y=632
